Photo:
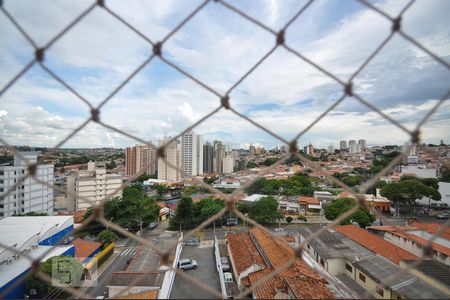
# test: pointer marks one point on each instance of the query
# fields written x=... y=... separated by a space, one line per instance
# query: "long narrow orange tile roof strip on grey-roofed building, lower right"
x=375 y=243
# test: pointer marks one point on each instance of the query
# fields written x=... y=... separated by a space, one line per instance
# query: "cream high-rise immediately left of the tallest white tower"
x=170 y=170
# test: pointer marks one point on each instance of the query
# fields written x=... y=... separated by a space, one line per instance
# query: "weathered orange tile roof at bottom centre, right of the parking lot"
x=256 y=254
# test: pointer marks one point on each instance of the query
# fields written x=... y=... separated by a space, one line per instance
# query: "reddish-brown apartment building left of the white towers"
x=140 y=158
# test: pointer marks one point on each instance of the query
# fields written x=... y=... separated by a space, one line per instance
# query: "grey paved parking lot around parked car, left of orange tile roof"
x=205 y=272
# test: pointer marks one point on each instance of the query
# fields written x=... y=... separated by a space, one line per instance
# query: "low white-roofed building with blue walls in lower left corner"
x=39 y=238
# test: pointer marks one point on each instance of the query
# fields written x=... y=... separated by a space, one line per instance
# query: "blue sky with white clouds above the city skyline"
x=218 y=47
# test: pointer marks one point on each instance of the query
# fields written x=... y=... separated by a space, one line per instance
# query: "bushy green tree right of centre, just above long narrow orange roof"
x=362 y=216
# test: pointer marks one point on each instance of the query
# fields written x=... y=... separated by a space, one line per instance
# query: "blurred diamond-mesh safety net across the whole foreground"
x=223 y=103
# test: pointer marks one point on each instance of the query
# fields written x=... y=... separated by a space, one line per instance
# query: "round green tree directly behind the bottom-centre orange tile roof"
x=265 y=211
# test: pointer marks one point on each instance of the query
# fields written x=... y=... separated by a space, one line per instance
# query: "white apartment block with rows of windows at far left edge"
x=29 y=196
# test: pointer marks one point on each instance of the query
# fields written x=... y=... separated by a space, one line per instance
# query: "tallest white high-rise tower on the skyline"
x=191 y=154
